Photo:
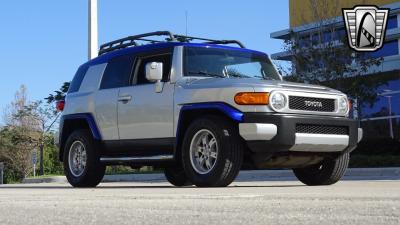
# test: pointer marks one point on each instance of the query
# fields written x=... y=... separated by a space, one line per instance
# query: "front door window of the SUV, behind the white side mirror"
x=166 y=58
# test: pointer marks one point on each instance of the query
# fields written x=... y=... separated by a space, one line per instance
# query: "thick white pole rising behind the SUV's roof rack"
x=92 y=29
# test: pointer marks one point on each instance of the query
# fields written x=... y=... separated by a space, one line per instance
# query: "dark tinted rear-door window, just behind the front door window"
x=117 y=73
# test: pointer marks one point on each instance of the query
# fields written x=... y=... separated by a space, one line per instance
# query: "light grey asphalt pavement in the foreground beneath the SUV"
x=255 y=202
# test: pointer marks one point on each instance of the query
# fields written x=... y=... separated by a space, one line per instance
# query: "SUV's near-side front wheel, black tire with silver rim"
x=224 y=157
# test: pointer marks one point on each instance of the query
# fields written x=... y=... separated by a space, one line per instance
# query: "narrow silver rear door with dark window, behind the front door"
x=117 y=74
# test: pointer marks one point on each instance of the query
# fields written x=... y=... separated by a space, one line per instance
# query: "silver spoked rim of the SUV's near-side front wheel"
x=203 y=151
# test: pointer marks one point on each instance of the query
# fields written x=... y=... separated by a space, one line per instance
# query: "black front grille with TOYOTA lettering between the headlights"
x=311 y=104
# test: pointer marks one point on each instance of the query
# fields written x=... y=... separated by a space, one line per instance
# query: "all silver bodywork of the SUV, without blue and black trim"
x=140 y=112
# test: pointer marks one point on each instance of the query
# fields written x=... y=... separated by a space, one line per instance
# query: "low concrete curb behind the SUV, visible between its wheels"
x=244 y=176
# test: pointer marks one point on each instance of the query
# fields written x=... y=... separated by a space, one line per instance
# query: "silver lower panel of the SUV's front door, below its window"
x=148 y=114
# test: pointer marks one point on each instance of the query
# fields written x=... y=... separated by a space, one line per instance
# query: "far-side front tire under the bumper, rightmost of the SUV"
x=327 y=172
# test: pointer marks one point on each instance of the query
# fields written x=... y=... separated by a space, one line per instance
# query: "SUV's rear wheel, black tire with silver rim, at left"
x=91 y=171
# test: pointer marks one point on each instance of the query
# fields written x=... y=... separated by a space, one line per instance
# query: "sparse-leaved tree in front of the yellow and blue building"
x=324 y=57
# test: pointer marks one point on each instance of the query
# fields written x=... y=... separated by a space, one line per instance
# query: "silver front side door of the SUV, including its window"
x=146 y=114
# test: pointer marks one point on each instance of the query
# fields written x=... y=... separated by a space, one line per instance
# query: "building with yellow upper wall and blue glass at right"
x=382 y=119
